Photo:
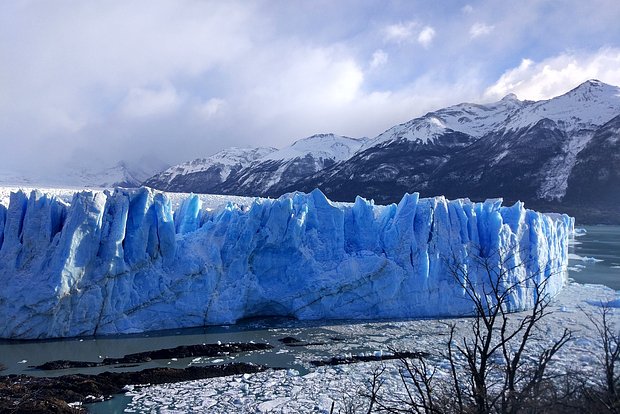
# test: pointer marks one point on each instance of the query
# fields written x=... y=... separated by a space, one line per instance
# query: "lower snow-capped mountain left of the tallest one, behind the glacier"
x=263 y=172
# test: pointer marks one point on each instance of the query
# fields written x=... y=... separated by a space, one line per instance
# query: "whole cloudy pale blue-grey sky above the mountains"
x=101 y=81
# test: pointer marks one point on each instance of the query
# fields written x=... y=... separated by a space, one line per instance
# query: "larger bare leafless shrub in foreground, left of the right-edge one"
x=499 y=365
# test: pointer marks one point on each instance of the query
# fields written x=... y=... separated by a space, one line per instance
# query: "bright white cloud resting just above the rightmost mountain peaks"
x=556 y=75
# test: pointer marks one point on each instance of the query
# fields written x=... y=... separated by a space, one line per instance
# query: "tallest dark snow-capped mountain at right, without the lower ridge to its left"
x=518 y=150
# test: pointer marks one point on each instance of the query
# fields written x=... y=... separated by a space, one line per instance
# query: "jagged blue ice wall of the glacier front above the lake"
x=125 y=262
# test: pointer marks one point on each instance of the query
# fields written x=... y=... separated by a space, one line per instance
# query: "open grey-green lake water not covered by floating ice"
x=595 y=258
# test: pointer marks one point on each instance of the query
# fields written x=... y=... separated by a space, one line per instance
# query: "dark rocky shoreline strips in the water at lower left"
x=65 y=394
